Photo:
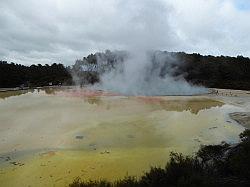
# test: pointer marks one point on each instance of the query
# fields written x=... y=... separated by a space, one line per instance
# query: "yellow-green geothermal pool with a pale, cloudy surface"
x=48 y=137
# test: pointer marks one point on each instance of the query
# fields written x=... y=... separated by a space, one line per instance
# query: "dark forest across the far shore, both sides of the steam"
x=209 y=71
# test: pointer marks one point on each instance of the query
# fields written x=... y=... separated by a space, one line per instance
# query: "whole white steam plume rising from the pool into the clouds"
x=145 y=72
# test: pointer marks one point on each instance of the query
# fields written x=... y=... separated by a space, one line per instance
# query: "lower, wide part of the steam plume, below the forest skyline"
x=147 y=73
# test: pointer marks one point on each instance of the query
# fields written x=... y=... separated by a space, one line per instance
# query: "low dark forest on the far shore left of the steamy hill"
x=15 y=75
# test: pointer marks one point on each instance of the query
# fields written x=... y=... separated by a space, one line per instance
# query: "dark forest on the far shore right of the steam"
x=216 y=72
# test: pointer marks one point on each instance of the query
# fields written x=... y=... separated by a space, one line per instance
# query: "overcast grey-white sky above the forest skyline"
x=47 y=31
